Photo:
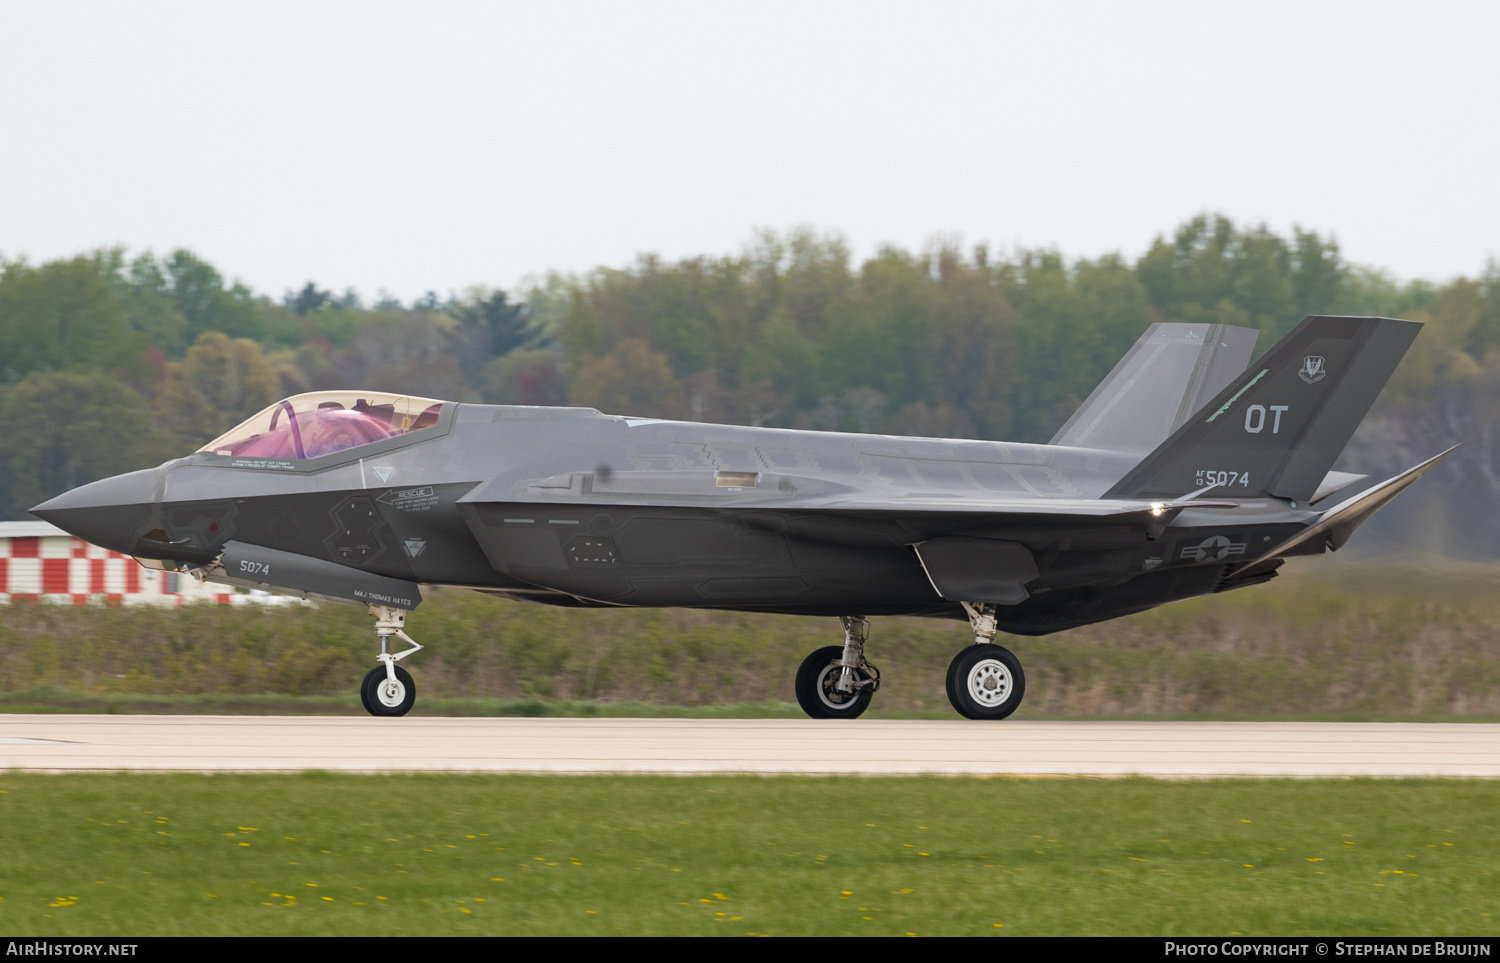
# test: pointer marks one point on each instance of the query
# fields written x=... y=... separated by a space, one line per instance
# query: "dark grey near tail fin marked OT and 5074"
x=1277 y=430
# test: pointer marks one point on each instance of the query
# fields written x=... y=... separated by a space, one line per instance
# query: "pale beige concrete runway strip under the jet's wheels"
x=1177 y=749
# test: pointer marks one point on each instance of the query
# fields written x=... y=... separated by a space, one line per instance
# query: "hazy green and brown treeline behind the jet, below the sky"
x=110 y=362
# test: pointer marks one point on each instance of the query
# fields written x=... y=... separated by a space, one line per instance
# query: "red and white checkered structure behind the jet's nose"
x=43 y=563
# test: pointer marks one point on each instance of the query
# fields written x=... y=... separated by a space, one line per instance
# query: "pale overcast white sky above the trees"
x=437 y=146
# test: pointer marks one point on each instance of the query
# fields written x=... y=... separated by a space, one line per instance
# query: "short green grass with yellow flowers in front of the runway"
x=323 y=854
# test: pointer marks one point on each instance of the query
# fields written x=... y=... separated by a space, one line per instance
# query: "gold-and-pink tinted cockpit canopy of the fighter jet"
x=326 y=422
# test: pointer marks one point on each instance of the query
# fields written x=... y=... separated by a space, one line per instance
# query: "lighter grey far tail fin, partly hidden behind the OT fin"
x=1162 y=382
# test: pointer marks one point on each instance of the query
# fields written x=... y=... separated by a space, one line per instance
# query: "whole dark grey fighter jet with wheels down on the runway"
x=1184 y=475
